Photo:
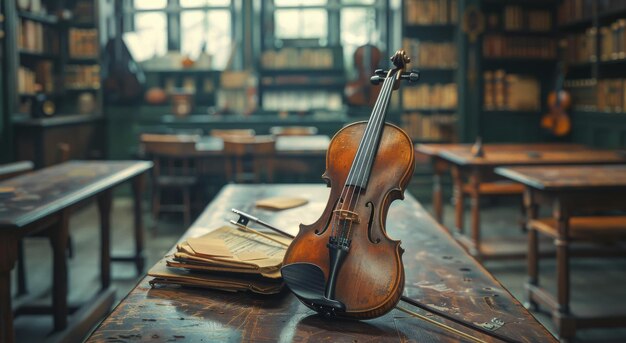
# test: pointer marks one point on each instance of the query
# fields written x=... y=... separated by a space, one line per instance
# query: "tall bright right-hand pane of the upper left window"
x=209 y=30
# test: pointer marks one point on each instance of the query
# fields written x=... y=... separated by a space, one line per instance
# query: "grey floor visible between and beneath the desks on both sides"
x=597 y=283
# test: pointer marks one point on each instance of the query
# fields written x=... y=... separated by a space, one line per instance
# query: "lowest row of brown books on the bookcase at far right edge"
x=607 y=95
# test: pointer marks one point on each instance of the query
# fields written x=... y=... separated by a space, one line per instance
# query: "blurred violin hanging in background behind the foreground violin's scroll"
x=360 y=92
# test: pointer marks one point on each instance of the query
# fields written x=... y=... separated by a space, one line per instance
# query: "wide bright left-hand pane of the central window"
x=306 y=23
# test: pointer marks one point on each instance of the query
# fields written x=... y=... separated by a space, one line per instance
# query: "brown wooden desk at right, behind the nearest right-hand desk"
x=470 y=173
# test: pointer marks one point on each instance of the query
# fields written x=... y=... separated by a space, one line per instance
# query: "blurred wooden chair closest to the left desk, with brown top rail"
x=174 y=169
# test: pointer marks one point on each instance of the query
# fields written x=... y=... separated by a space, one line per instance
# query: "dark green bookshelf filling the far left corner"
x=52 y=61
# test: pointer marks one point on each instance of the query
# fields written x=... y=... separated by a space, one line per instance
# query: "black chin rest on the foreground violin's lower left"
x=307 y=282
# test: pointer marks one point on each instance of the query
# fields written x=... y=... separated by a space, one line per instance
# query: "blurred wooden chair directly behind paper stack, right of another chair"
x=249 y=158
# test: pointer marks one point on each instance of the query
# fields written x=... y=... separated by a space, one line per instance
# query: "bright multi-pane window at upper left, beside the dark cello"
x=188 y=26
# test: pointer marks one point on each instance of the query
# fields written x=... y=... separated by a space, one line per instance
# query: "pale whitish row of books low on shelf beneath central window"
x=302 y=101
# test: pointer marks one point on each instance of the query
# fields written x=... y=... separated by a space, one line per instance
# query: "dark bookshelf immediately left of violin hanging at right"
x=518 y=55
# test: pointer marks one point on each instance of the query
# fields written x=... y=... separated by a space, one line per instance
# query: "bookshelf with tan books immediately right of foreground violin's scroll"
x=429 y=35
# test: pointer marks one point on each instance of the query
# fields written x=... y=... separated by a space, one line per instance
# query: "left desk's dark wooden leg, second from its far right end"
x=104 y=208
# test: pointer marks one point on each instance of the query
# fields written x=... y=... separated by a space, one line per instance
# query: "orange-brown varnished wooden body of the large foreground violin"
x=371 y=278
